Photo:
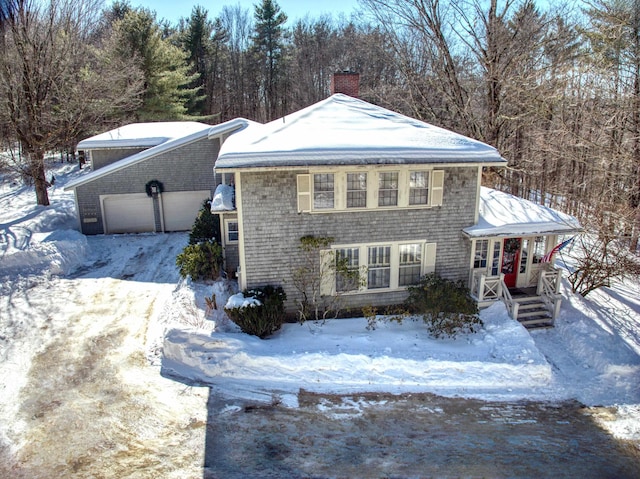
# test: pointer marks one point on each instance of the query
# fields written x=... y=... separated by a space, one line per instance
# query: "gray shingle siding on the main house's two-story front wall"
x=272 y=228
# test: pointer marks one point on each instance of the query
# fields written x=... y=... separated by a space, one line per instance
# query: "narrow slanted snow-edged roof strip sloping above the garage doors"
x=208 y=132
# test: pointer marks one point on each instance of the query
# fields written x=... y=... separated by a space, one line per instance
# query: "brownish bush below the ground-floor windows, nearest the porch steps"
x=446 y=306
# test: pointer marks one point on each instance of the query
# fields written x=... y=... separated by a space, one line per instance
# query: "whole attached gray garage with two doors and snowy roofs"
x=113 y=198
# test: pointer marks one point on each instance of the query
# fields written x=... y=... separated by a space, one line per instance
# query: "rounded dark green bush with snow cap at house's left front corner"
x=259 y=312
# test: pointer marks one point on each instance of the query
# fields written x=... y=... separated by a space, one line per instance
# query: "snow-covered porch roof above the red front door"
x=502 y=214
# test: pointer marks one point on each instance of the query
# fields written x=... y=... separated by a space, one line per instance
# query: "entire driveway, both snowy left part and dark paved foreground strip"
x=80 y=399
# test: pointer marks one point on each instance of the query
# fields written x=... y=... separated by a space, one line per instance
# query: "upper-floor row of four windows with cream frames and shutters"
x=376 y=188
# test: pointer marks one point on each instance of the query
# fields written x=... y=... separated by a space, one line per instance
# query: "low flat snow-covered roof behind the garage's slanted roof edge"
x=142 y=135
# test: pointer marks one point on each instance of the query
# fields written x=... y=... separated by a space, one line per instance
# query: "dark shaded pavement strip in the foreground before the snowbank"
x=411 y=436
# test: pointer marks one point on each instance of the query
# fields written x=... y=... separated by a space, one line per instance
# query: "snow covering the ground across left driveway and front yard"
x=117 y=304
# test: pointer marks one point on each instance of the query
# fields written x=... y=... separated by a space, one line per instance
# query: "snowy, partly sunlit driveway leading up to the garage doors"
x=78 y=396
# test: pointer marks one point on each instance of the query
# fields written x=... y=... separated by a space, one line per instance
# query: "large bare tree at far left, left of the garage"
x=49 y=85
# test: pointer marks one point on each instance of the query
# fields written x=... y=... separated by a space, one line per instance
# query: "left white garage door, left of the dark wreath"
x=128 y=213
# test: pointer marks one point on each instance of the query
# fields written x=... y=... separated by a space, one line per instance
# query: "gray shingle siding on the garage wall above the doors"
x=187 y=168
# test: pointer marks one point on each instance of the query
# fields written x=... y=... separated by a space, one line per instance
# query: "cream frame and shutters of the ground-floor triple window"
x=428 y=264
